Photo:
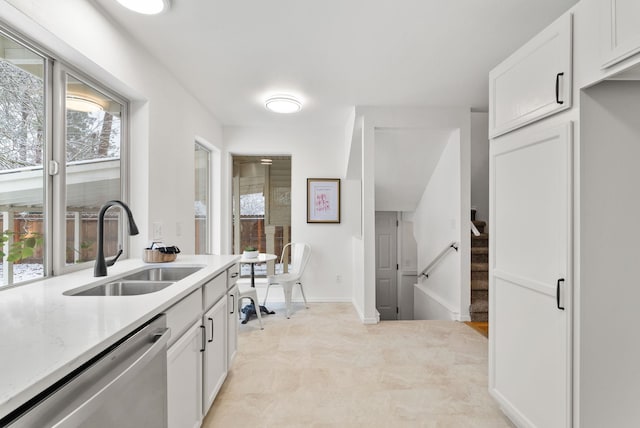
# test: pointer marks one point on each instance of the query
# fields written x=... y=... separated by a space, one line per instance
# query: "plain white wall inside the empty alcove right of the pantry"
x=608 y=292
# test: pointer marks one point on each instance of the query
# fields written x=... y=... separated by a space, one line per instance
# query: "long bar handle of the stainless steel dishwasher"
x=92 y=403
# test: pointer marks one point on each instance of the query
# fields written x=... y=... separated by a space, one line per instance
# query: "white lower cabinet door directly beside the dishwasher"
x=184 y=379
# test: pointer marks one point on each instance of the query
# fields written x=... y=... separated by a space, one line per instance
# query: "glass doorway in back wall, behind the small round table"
x=261 y=208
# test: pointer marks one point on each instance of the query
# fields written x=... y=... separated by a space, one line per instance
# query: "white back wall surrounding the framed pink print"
x=315 y=153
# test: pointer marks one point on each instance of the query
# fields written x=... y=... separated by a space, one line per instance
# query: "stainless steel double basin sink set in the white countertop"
x=148 y=280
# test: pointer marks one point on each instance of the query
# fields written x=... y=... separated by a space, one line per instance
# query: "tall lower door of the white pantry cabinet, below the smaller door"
x=530 y=276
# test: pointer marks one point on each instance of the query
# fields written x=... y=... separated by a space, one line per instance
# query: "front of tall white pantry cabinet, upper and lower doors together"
x=531 y=209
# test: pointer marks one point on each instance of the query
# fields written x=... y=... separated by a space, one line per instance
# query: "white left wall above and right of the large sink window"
x=165 y=118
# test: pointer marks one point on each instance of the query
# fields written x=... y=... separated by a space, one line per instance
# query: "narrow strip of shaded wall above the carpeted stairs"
x=480 y=165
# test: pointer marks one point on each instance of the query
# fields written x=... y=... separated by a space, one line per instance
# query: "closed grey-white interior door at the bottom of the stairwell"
x=387 y=265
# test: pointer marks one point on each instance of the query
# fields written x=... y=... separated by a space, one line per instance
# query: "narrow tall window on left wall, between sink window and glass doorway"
x=202 y=163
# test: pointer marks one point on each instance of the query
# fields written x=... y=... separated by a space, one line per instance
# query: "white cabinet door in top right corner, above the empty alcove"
x=620 y=30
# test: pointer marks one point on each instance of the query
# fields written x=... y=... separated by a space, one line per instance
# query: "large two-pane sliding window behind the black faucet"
x=61 y=143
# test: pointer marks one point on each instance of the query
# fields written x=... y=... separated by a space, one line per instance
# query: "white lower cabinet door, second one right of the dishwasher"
x=215 y=355
